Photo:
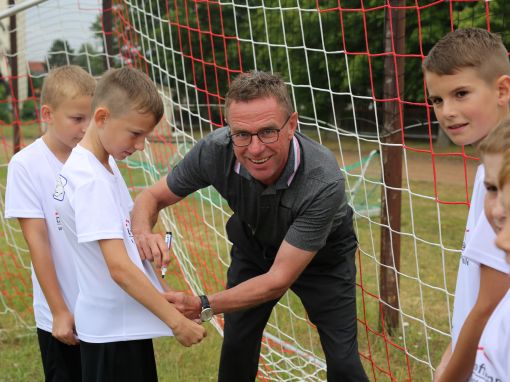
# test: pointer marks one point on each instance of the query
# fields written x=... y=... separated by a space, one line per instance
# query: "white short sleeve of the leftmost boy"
x=22 y=199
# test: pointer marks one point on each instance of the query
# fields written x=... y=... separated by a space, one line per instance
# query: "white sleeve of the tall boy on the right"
x=482 y=248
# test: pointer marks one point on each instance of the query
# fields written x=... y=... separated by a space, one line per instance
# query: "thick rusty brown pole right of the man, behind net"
x=392 y=164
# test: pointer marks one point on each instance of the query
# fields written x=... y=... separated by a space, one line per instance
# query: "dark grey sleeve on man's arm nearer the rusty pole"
x=312 y=226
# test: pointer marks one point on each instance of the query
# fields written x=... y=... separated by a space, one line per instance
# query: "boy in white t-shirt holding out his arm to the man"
x=120 y=307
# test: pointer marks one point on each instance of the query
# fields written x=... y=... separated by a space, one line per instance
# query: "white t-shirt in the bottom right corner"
x=493 y=356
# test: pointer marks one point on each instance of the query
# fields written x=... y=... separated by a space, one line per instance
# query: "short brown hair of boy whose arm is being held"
x=126 y=89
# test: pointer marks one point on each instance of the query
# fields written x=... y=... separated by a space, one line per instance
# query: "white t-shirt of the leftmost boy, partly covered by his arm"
x=30 y=184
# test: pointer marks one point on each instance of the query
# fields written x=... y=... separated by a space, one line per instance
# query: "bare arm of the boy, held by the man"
x=131 y=279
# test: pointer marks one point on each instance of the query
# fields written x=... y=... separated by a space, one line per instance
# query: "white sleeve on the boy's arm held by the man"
x=97 y=214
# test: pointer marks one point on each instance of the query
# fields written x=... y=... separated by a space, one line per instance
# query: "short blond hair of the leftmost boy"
x=66 y=82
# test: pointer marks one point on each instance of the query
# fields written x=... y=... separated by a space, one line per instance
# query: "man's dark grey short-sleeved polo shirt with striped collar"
x=306 y=206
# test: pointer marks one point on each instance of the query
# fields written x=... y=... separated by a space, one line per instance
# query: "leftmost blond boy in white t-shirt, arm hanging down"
x=66 y=106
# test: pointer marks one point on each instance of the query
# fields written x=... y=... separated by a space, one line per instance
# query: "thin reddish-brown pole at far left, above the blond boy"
x=16 y=139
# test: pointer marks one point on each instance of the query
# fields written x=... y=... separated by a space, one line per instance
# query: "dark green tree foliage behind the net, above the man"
x=334 y=56
